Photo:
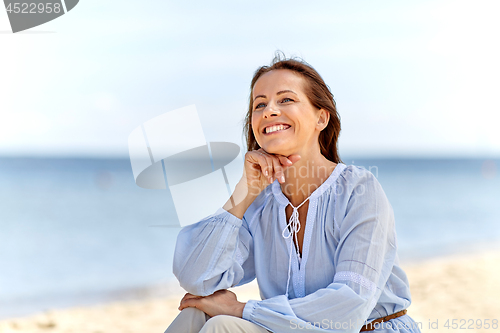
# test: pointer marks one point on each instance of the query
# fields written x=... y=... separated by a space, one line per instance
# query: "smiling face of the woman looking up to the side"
x=283 y=120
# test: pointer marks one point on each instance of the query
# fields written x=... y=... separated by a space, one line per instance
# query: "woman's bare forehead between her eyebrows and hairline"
x=278 y=80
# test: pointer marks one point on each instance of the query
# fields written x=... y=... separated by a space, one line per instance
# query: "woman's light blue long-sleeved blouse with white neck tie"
x=349 y=271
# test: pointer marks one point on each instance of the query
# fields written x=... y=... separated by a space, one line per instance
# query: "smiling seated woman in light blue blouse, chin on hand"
x=318 y=235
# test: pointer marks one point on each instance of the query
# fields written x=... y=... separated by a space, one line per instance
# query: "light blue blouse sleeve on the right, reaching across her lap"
x=363 y=259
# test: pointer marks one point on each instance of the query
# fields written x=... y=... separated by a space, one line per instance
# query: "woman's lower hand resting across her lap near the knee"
x=222 y=302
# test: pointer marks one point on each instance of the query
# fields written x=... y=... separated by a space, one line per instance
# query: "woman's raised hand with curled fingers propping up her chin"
x=262 y=168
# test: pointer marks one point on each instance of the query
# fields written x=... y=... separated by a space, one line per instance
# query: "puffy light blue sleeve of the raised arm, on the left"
x=213 y=254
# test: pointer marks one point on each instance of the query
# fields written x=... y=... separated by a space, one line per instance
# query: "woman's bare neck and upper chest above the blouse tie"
x=305 y=176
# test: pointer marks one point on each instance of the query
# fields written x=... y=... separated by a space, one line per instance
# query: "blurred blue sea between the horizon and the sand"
x=79 y=231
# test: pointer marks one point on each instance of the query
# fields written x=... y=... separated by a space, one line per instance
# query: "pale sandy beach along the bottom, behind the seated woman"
x=463 y=288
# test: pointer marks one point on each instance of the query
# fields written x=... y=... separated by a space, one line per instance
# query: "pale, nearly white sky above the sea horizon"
x=410 y=79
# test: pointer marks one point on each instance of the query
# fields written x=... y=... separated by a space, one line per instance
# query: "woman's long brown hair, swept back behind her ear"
x=317 y=92
